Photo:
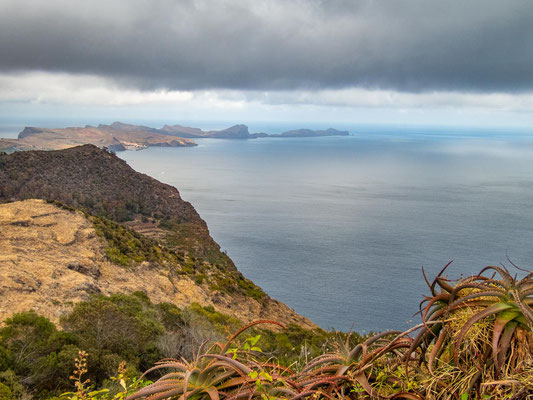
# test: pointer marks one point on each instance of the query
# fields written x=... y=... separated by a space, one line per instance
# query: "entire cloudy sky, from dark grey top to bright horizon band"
x=463 y=62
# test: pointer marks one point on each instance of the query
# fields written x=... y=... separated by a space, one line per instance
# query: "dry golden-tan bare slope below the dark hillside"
x=51 y=258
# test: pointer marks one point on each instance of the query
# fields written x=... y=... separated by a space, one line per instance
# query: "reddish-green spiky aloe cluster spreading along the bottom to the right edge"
x=475 y=341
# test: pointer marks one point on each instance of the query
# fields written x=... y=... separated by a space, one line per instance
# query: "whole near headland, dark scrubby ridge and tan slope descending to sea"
x=154 y=233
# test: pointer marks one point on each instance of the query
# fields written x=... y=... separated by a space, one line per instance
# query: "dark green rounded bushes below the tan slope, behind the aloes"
x=37 y=359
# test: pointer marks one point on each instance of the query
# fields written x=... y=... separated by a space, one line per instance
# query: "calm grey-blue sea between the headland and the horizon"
x=339 y=228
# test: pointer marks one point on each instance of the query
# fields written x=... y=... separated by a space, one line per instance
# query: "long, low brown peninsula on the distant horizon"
x=119 y=136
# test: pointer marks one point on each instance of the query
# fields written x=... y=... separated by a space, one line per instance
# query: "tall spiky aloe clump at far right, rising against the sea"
x=479 y=325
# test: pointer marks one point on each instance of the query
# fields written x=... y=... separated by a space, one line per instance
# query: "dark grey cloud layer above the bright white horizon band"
x=476 y=45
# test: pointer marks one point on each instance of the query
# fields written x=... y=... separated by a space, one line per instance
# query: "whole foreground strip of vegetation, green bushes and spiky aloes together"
x=475 y=341
